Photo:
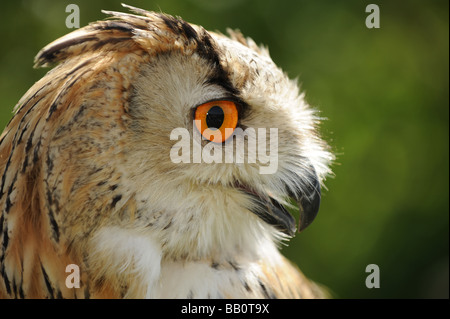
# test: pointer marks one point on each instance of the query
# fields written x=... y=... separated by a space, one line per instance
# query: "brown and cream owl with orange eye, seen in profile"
x=157 y=160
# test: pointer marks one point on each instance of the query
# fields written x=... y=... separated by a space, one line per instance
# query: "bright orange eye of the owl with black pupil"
x=216 y=120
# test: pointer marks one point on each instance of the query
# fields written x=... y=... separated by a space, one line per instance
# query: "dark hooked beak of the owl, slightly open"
x=273 y=213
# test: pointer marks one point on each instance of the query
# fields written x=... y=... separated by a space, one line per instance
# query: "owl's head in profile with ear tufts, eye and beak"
x=152 y=123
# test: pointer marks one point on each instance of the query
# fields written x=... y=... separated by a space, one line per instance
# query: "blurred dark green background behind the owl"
x=384 y=93
